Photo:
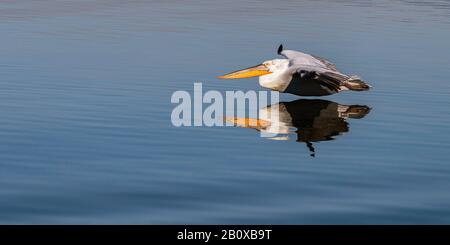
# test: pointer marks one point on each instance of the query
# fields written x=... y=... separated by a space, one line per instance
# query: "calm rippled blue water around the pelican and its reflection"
x=86 y=136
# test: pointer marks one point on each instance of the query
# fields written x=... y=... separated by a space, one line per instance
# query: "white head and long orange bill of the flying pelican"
x=265 y=68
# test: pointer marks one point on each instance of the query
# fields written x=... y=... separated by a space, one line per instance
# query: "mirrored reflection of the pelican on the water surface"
x=311 y=120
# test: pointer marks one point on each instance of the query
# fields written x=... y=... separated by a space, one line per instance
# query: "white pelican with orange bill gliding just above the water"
x=300 y=74
